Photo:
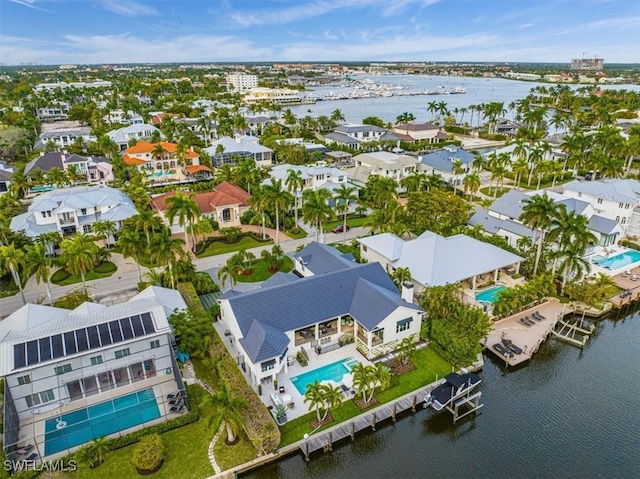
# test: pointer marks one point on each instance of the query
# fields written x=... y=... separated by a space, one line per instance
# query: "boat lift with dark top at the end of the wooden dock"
x=457 y=391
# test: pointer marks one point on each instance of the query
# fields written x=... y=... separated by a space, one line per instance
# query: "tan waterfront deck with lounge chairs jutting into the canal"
x=528 y=338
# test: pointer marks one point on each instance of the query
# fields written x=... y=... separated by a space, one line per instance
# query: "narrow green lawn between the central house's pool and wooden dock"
x=429 y=366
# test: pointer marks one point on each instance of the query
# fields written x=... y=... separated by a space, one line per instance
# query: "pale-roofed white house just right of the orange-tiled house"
x=227 y=151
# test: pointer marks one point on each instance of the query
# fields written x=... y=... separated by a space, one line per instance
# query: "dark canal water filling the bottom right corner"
x=567 y=413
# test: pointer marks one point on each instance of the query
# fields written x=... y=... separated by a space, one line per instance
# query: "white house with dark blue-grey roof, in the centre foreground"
x=318 y=312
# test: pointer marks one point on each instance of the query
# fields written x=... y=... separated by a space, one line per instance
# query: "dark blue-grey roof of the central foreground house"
x=365 y=292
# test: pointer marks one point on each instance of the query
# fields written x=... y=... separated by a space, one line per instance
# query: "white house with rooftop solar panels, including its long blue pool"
x=73 y=376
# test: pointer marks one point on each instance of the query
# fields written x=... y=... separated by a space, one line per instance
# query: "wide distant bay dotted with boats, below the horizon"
x=479 y=90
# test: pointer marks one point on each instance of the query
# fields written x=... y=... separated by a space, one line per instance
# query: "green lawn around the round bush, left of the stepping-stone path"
x=186 y=456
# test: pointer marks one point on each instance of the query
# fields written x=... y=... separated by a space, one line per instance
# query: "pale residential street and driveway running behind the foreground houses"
x=123 y=283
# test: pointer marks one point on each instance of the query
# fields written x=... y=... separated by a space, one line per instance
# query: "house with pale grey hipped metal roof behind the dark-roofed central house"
x=435 y=260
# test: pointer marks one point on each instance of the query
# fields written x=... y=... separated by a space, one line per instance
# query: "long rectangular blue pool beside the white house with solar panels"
x=102 y=419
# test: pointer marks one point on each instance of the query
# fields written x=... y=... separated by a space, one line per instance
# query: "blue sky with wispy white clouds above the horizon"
x=123 y=31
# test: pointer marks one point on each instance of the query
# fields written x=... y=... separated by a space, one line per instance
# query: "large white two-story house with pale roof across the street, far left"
x=72 y=210
